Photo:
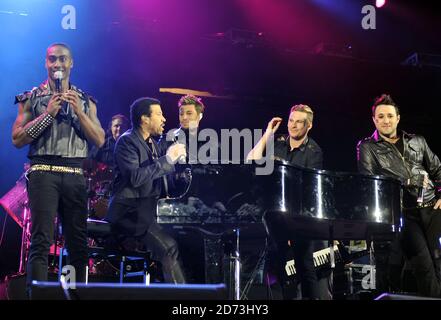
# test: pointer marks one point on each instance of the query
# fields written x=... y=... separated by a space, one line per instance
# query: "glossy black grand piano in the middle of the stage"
x=291 y=201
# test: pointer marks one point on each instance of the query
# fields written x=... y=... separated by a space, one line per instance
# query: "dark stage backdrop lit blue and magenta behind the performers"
x=127 y=49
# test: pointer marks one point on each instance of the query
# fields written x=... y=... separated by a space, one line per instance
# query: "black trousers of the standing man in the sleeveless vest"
x=51 y=193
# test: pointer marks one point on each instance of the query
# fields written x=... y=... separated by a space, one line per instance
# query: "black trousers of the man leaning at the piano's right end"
x=421 y=246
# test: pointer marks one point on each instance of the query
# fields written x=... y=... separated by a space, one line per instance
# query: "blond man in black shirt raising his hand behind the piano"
x=299 y=149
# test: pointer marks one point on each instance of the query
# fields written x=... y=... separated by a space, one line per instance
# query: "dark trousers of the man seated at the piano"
x=135 y=219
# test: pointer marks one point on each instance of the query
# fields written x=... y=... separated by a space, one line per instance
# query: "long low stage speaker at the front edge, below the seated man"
x=128 y=291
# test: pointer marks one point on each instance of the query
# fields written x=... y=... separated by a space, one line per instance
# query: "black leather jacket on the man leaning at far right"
x=378 y=157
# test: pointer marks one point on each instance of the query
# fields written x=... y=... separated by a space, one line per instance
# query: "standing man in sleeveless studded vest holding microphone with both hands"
x=57 y=146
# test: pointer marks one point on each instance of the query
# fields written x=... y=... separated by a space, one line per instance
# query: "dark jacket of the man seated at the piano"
x=137 y=169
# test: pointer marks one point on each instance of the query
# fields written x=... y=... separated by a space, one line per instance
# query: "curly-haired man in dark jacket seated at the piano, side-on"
x=141 y=168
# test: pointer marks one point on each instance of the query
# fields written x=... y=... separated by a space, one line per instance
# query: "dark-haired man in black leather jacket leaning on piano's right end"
x=408 y=158
